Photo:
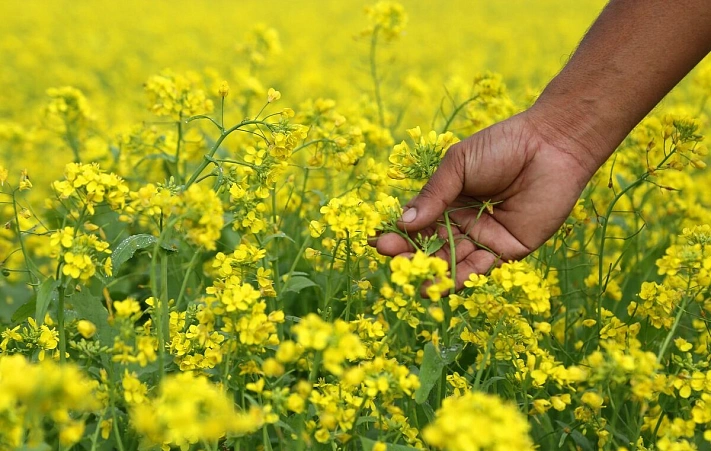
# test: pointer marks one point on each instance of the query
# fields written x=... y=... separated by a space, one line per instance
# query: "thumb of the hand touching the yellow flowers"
x=440 y=191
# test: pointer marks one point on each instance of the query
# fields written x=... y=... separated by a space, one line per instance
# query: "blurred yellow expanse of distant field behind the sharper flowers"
x=108 y=49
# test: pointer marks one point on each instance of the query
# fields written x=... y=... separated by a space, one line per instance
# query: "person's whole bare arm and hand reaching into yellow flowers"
x=634 y=53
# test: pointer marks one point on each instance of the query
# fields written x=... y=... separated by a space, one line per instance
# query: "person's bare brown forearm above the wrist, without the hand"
x=635 y=52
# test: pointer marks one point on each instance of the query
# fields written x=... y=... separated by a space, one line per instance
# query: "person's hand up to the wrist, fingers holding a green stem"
x=533 y=177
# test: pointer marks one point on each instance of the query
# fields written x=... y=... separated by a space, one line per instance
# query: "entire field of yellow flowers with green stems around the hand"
x=190 y=193
